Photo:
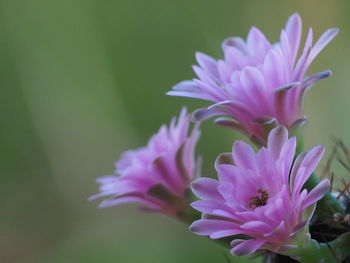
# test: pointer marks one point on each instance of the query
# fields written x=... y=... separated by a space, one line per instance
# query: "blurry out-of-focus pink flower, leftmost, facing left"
x=155 y=176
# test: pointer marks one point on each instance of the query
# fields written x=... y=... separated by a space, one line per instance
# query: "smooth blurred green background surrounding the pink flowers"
x=83 y=80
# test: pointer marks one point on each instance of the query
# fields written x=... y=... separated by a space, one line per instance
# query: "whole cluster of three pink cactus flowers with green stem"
x=263 y=200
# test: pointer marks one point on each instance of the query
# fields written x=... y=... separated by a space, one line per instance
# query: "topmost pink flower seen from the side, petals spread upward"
x=258 y=85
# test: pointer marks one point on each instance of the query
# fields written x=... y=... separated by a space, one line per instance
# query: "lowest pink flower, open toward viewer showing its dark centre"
x=259 y=196
